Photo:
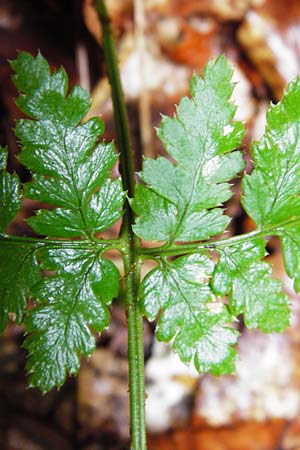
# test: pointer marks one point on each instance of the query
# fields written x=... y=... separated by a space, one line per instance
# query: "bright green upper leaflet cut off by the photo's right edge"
x=272 y=192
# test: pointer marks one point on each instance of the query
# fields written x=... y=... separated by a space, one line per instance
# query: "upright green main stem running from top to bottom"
x=131 y=257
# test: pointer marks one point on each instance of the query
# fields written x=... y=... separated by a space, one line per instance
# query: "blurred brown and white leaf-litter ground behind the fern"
x=160 y=43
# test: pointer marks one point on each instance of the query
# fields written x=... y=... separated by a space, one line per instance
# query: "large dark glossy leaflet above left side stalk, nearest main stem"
x=72 y=170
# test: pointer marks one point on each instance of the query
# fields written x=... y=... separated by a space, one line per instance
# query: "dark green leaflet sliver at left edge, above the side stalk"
x=11 y=198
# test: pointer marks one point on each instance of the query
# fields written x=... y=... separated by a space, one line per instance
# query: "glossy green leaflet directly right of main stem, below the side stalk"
x=189 y=314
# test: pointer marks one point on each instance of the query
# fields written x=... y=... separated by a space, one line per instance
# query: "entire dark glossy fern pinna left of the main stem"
x=71 y=171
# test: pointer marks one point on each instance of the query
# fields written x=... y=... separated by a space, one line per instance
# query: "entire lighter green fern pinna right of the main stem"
x=181 y=201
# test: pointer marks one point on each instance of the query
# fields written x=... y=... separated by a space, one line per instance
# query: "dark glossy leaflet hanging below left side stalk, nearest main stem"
x=68 y=304
